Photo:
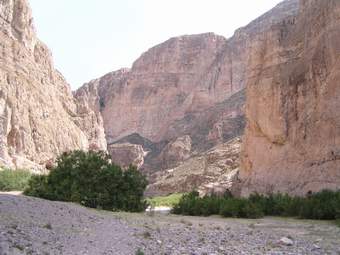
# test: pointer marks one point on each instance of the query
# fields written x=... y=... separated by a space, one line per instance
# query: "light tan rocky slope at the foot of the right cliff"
x=212 y=171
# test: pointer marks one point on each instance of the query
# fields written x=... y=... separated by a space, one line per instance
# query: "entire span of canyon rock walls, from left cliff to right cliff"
x=256 y=112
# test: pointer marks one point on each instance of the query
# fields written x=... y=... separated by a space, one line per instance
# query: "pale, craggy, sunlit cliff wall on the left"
x=39 y=117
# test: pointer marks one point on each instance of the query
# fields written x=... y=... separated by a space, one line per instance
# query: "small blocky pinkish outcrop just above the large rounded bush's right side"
x=126 y=154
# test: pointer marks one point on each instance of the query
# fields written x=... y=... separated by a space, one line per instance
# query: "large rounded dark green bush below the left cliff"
x=90 y=179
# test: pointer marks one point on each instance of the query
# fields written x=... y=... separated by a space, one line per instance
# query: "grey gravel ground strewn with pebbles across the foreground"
x=34 y=226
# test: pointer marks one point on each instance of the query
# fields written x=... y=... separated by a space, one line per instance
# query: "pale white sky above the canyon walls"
x=89 y=38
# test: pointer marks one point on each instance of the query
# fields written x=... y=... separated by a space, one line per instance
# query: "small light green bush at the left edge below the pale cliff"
x=14 y=180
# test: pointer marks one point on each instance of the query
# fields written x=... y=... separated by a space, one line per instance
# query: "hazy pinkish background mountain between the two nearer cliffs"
x=190 y=86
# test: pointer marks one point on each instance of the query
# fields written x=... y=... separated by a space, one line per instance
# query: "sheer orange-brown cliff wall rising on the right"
x=292 y=139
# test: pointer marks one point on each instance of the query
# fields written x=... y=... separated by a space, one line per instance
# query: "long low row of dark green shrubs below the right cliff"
x=324 y=205
